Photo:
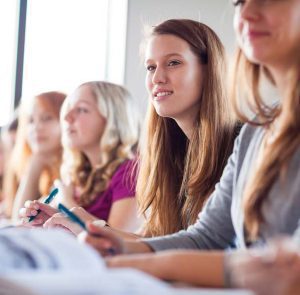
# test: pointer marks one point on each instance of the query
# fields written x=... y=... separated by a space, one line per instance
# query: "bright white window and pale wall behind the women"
x=59 y=44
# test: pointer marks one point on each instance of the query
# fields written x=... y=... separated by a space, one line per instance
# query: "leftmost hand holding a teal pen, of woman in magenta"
x=31 y=209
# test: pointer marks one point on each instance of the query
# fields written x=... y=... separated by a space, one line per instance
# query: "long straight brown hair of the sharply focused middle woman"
x=177 y=175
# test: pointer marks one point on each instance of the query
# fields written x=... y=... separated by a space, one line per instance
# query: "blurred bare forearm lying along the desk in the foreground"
x=197 y=268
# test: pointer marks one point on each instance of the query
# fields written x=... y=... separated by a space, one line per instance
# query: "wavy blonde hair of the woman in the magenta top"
x=118 y=142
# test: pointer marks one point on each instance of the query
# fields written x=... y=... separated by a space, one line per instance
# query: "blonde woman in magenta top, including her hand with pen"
x=99 y=138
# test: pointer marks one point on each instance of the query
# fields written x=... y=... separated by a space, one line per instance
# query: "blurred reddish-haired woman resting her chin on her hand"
x=36 y=157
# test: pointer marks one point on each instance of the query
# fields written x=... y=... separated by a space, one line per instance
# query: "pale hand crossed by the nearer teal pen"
x=60 y=219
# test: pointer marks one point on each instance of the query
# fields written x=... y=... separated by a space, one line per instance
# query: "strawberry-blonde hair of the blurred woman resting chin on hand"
x=51 y=102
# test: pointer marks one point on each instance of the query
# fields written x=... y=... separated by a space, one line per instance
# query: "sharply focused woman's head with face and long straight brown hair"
x=190 y=129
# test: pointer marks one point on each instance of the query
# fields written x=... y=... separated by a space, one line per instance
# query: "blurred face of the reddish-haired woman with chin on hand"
x=43 y=133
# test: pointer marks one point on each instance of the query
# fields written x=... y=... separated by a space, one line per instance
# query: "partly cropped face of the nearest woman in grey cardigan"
x=268 y=31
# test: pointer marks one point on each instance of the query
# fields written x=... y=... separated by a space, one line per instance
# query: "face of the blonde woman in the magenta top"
x=83 y=125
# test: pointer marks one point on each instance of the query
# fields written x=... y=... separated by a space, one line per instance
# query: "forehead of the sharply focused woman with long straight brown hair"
x=162 y=45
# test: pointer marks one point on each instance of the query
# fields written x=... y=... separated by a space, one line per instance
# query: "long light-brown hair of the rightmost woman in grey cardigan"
x=277 y=153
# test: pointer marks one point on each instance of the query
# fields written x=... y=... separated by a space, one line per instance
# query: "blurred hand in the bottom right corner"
x=266 y=271
